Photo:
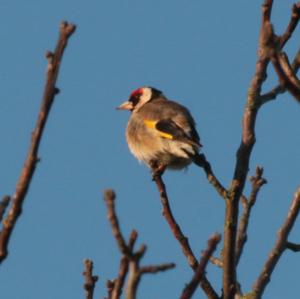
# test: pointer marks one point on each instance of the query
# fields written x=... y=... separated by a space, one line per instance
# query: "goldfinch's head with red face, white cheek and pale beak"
x=139 y=97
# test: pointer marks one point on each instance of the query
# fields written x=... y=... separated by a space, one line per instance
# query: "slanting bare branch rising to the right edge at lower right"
x=278 y=249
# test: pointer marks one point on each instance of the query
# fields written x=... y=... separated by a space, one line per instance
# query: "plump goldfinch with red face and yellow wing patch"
x=160 y=132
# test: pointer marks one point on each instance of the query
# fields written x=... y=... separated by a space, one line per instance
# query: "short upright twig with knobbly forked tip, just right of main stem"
x=257 y=182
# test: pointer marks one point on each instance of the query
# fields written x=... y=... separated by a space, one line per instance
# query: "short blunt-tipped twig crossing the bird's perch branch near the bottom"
x=200 y=272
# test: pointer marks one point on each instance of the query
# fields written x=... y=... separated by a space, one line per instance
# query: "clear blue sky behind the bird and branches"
x=201 y=53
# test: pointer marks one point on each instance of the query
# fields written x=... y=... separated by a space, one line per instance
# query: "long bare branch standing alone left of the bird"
x=54 y=62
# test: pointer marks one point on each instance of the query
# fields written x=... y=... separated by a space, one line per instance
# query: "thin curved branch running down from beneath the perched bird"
x=181 y=238
